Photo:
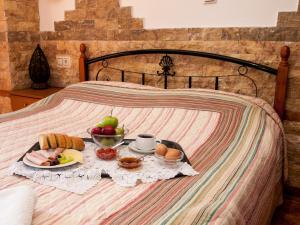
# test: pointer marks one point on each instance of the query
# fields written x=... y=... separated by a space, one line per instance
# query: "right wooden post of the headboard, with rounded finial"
x=281 y=81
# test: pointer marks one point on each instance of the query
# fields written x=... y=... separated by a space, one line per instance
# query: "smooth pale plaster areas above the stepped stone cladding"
x=184 y=13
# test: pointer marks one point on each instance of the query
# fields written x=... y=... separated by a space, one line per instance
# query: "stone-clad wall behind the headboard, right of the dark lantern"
x=106 y=27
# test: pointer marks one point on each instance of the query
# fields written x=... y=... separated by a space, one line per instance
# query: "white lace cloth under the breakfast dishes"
x=81 y=177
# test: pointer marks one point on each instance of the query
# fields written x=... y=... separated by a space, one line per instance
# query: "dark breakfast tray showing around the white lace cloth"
x=169 y=144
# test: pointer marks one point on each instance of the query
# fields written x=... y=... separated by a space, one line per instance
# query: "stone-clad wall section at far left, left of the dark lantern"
x=19 y=35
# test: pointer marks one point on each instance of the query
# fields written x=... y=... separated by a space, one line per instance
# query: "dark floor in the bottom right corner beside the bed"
x=289 y=212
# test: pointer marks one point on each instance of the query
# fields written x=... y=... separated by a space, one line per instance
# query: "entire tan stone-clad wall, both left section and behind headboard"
x=105 y=27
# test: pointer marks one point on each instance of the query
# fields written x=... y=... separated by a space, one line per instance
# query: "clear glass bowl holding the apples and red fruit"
x=107 y=141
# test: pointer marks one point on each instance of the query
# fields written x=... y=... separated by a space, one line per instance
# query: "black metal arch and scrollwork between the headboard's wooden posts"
x=167 y=63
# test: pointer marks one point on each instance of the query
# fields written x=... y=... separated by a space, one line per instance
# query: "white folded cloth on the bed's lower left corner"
x=17 y=205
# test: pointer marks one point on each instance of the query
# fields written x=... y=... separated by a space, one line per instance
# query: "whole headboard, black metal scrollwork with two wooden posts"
x=166 y=64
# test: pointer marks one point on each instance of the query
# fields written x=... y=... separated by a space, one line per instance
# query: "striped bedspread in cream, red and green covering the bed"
x=234 y=142
